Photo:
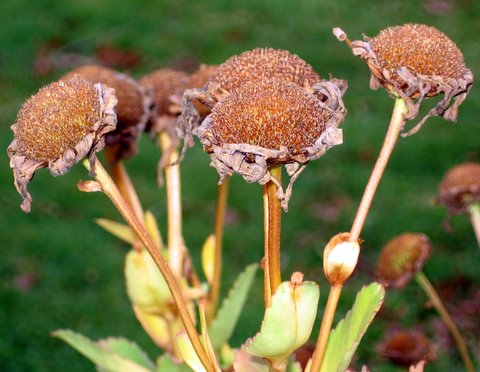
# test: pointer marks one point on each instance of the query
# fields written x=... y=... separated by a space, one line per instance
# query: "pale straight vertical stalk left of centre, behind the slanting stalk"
x=175 y=244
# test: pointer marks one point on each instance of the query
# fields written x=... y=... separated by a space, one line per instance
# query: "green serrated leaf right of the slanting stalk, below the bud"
x=345 y=338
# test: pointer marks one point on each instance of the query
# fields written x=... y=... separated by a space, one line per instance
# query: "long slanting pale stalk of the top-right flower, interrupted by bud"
x=397 y=122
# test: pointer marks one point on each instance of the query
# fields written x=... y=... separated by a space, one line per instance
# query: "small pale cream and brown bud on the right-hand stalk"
x=340 y=259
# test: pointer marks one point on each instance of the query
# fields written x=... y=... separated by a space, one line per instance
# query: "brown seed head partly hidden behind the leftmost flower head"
x=131 y=108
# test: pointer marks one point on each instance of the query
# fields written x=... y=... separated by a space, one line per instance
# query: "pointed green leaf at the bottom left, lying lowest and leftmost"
x=105 y=359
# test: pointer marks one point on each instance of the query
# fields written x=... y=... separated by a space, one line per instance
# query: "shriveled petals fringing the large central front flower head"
x=252 y=162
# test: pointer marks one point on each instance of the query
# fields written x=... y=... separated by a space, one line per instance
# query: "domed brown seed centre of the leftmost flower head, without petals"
x=45 y=129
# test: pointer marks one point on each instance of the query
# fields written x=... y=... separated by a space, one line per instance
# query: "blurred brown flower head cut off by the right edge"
x=460 y=187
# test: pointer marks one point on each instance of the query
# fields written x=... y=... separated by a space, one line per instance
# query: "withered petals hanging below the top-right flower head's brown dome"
x=413 y=84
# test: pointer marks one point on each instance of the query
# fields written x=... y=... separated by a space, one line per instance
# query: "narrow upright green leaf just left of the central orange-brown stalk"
x=224 y=323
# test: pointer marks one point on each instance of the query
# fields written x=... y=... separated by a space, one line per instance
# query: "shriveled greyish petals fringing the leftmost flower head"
x=24 y=168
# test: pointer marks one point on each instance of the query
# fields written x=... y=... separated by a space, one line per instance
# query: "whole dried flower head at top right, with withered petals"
x=413 y=62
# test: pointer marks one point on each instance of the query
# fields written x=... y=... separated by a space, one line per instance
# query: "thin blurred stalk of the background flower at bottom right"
x=431 y=293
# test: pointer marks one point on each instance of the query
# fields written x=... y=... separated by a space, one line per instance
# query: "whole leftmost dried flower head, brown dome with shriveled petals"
x=57 y=127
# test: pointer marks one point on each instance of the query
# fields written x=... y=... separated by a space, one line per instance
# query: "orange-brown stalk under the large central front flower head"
x=272 y=227
